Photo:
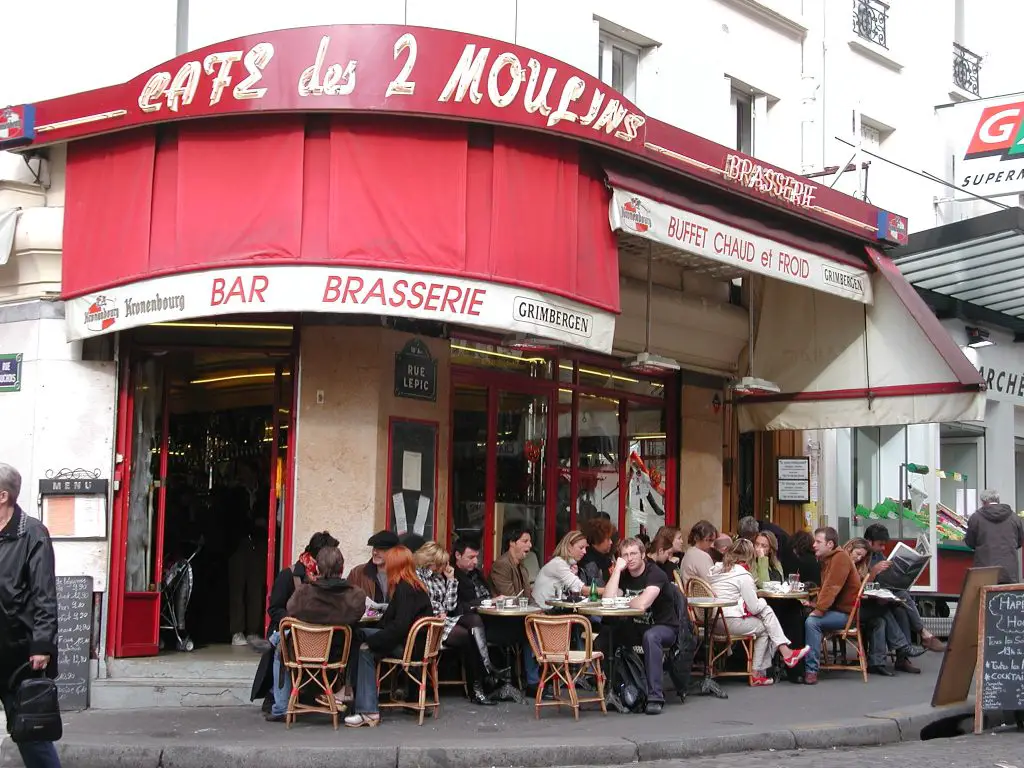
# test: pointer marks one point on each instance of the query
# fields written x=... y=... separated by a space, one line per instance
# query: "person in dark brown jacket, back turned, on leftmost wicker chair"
x=328 y=601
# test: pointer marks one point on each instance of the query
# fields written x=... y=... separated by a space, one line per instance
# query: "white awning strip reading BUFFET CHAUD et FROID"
x=699 y=235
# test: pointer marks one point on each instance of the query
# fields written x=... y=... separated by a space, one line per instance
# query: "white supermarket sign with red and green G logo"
x=987 y=139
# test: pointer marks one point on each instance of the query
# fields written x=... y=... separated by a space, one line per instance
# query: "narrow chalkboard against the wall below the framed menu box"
x=74 y=641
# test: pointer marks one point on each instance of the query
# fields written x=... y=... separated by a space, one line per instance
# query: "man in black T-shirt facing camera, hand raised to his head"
x=634 y=572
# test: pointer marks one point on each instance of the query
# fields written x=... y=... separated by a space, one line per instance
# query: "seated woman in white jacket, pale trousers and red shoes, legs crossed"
x=732 y=580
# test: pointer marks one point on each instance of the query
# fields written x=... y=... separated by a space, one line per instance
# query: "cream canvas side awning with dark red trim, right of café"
x=846 y=365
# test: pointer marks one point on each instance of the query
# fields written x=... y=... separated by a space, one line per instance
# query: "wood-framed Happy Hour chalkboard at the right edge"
x=1001 y=649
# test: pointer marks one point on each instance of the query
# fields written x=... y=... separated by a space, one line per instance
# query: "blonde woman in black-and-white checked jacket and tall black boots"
x=463 y=632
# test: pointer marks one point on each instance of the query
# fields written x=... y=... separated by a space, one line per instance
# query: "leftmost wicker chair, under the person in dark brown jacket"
x=306 y=653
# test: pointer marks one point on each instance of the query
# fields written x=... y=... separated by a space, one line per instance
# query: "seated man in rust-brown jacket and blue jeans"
x=837 y=596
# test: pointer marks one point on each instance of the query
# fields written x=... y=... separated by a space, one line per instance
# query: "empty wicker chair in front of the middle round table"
x=550 y=638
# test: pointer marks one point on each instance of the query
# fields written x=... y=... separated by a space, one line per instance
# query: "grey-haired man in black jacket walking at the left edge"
x=28 y=606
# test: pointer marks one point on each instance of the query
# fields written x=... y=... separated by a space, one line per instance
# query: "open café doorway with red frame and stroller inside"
x=205 y=457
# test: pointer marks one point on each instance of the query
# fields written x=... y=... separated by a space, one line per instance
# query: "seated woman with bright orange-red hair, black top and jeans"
x=408 y=602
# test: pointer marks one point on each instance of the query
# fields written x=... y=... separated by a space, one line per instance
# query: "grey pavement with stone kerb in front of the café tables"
x=840 y=711
